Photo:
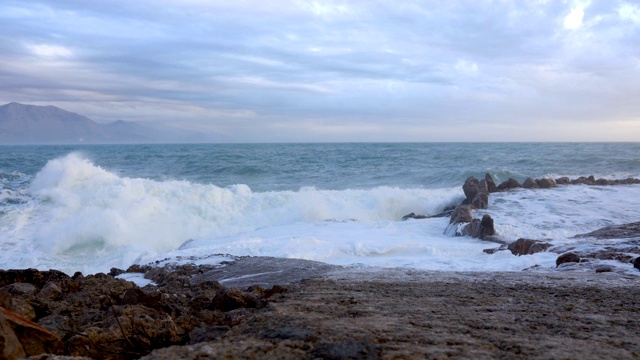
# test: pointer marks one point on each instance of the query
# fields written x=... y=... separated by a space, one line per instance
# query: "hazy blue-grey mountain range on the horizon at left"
x=31 y=124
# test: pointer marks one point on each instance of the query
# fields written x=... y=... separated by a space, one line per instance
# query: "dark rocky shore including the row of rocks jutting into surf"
x=265 y=308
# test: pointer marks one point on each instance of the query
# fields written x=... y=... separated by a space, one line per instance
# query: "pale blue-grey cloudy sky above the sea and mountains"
x=300 y=71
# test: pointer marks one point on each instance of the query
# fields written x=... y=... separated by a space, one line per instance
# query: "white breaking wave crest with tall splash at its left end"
x=79 y=202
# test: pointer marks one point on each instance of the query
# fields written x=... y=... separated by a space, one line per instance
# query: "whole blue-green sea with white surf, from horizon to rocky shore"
x=92 y=207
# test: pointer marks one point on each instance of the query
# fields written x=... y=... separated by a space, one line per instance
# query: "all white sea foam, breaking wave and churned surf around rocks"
x=84 y=218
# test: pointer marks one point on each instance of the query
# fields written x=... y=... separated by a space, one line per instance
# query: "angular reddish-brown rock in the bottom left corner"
x=33 y=339
